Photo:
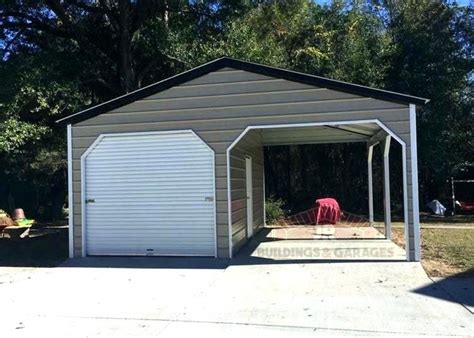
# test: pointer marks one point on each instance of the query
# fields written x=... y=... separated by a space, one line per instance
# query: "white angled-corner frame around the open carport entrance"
x=332 y=123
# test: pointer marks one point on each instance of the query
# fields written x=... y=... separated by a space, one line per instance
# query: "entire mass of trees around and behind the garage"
x=59 y=56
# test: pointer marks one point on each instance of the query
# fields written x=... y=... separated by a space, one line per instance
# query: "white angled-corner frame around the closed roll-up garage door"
x=96 y=142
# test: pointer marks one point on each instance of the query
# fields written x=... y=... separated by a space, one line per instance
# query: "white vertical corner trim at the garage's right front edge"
x=414 y=182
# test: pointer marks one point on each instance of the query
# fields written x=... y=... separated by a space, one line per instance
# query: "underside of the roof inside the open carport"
x=320 y=134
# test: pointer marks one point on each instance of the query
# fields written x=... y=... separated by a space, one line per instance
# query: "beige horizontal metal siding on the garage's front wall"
x=218 y=107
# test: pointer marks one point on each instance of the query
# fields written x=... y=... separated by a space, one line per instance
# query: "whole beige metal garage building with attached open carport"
x=185 y=156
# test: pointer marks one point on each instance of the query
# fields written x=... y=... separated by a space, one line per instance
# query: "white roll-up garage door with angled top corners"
x=149 y=194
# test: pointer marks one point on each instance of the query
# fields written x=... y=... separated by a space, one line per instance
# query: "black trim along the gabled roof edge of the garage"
x=240 y=65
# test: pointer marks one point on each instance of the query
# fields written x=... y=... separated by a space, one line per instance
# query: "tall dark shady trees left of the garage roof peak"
x=60 y=56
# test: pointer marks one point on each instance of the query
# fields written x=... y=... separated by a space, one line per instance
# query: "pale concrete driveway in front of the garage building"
x=171 y=297
